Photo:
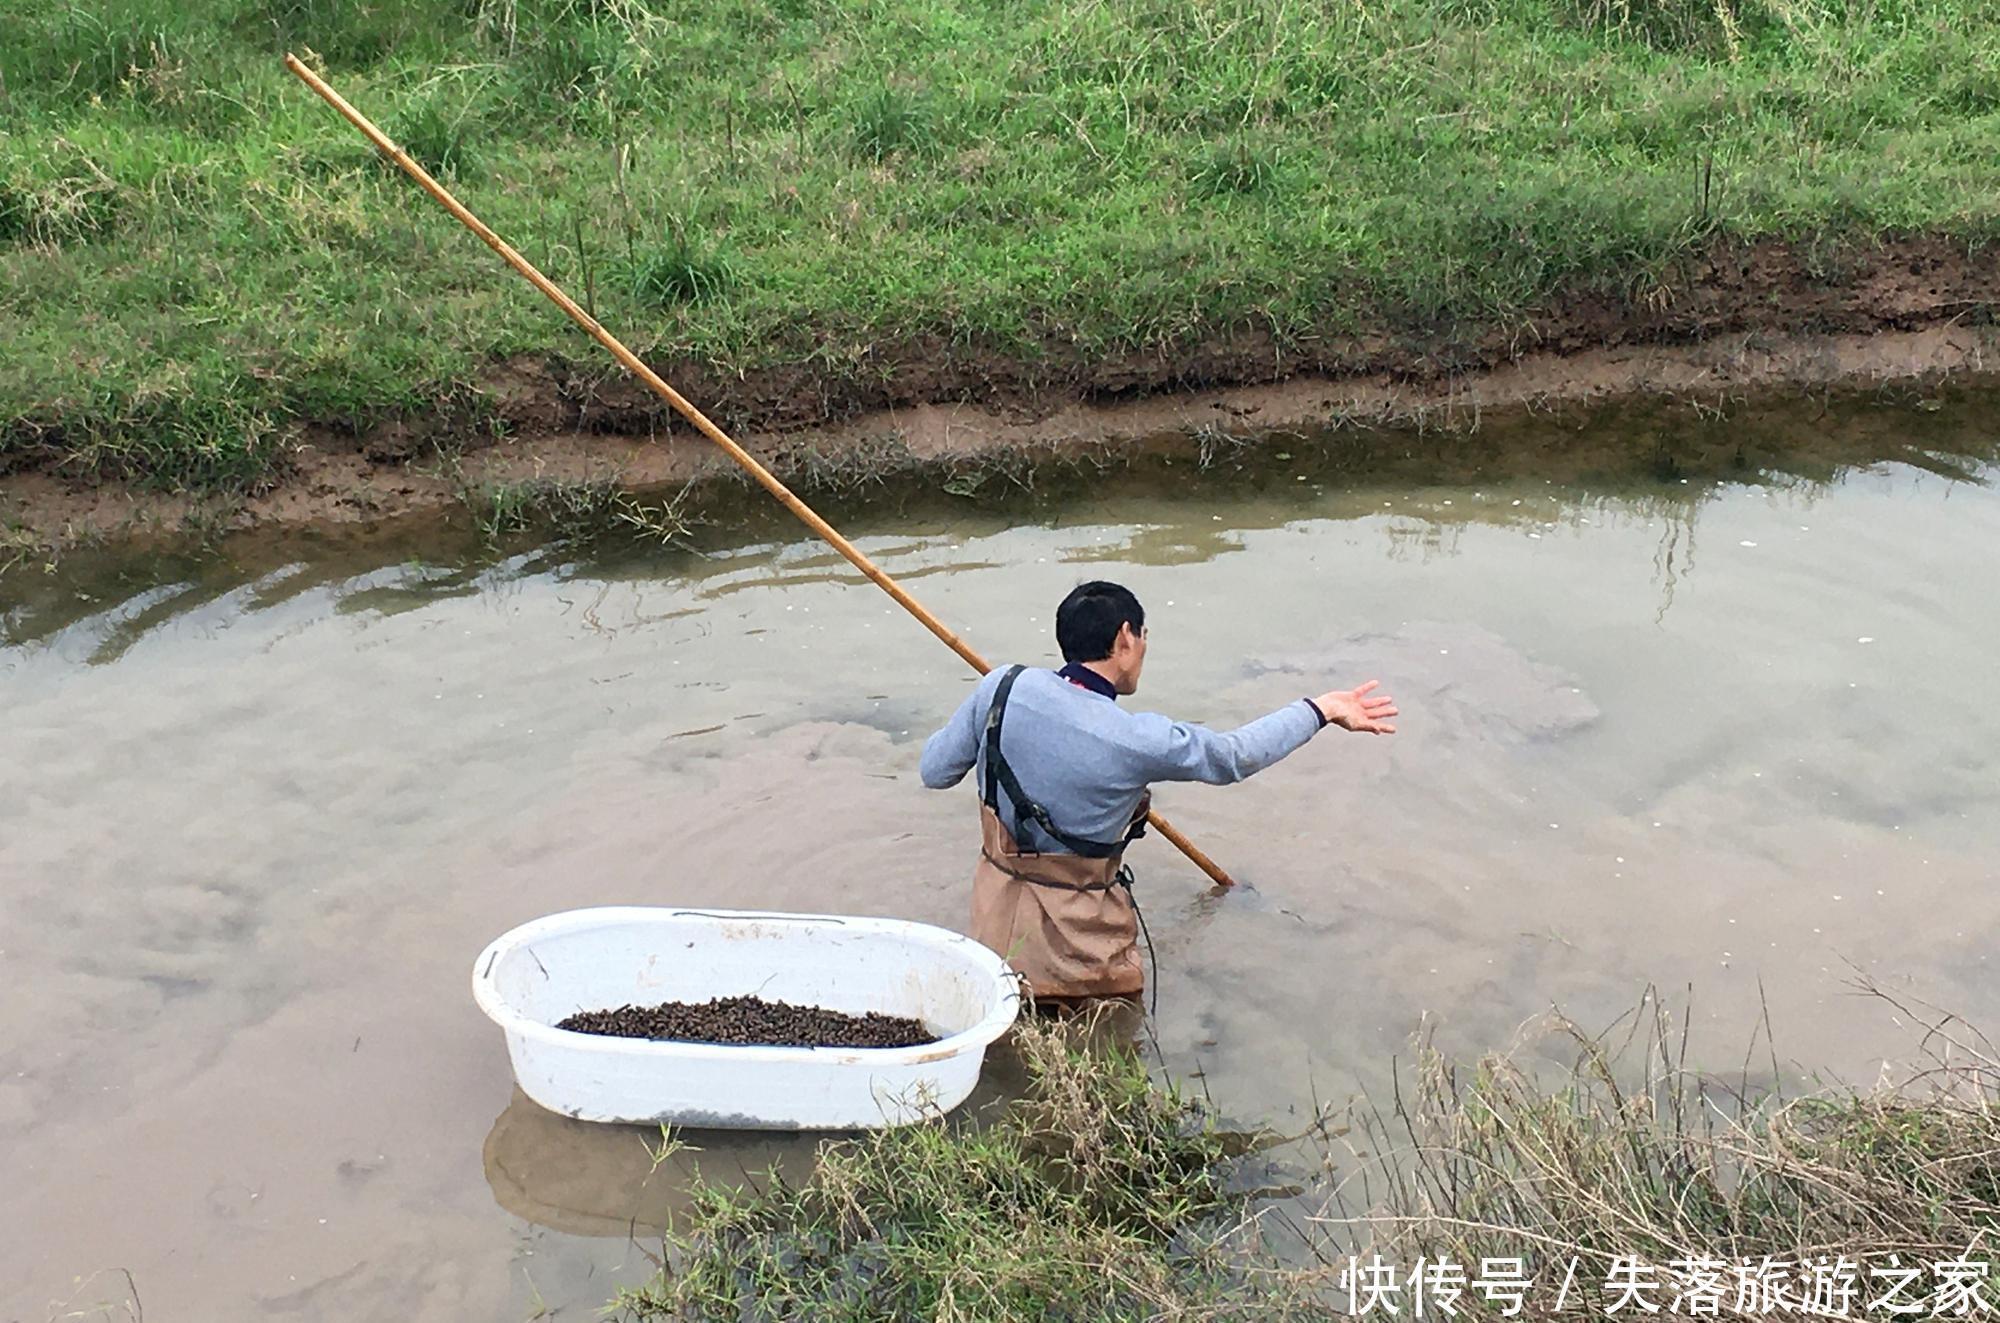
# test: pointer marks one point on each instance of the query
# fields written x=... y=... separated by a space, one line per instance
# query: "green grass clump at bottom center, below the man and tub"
x=1085 y=1202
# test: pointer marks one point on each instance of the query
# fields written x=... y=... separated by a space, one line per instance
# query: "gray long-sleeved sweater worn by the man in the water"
x=1089 y=760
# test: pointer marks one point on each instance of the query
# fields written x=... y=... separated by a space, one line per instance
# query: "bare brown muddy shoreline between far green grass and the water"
x=1911 y=331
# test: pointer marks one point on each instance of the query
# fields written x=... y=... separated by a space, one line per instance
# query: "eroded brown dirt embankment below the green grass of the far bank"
x=1749 y=321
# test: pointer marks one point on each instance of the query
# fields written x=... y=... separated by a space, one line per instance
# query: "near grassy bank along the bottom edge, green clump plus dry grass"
x=1103 y=1196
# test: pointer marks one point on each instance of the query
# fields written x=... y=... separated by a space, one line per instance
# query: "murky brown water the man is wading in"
x=257 y=816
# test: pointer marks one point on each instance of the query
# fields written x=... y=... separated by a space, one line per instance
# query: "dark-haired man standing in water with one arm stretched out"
x=1063 y=778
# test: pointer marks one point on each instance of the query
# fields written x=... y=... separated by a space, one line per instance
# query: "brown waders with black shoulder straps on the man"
x=1065 y=922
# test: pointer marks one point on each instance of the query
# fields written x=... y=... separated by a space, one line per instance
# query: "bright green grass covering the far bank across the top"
x=195 y=253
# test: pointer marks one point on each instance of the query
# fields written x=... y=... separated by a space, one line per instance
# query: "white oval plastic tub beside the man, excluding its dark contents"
x=605 y=958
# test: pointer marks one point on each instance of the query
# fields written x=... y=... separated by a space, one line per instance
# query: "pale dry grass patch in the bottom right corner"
x=1633 y=1158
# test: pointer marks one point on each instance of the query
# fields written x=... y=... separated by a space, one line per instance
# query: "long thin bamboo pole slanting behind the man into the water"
x=695 y=417
